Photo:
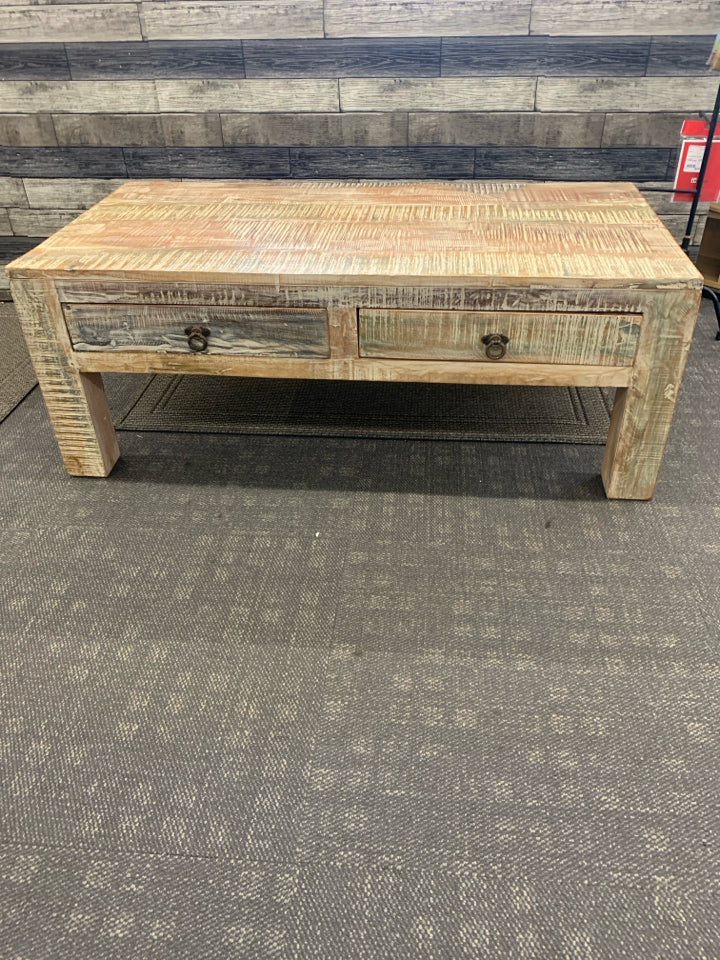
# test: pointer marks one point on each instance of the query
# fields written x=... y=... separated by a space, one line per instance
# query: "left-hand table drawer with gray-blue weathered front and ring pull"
x=250 y=331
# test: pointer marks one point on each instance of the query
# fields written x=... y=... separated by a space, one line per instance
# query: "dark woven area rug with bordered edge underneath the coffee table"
x=201 y=404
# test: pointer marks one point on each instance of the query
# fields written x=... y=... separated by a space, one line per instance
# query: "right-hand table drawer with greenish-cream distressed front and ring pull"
x=577 y=338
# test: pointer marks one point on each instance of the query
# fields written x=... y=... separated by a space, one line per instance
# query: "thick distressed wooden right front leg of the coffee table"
x=643 y=411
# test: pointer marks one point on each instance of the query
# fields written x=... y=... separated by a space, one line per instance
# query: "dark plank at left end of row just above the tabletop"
x=62 y=162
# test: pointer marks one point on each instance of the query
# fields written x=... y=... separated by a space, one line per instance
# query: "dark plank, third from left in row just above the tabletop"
x=382 y=162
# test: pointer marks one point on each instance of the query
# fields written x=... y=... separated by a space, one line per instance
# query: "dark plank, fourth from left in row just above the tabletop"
x=545 y=163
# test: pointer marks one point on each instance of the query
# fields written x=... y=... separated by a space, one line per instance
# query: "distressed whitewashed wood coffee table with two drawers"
x=462 y=282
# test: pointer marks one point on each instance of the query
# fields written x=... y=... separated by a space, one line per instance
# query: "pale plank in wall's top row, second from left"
x=229 y=19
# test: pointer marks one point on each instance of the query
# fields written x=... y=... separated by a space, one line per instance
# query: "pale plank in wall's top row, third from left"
x=426 y=18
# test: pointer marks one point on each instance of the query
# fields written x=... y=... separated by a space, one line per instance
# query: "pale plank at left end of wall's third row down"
x=79 y=96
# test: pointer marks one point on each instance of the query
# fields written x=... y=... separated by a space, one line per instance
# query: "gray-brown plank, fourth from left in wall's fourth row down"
x=507 y=129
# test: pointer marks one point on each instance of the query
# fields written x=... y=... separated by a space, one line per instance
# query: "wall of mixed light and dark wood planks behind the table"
x=93 y=93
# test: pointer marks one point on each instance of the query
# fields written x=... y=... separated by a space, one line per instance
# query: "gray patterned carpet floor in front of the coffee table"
x=340 y=698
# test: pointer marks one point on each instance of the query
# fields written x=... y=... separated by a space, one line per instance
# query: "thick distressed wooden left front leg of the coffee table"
x=75 y=401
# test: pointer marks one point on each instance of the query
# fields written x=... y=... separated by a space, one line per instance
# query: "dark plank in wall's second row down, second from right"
x=550 y=56
